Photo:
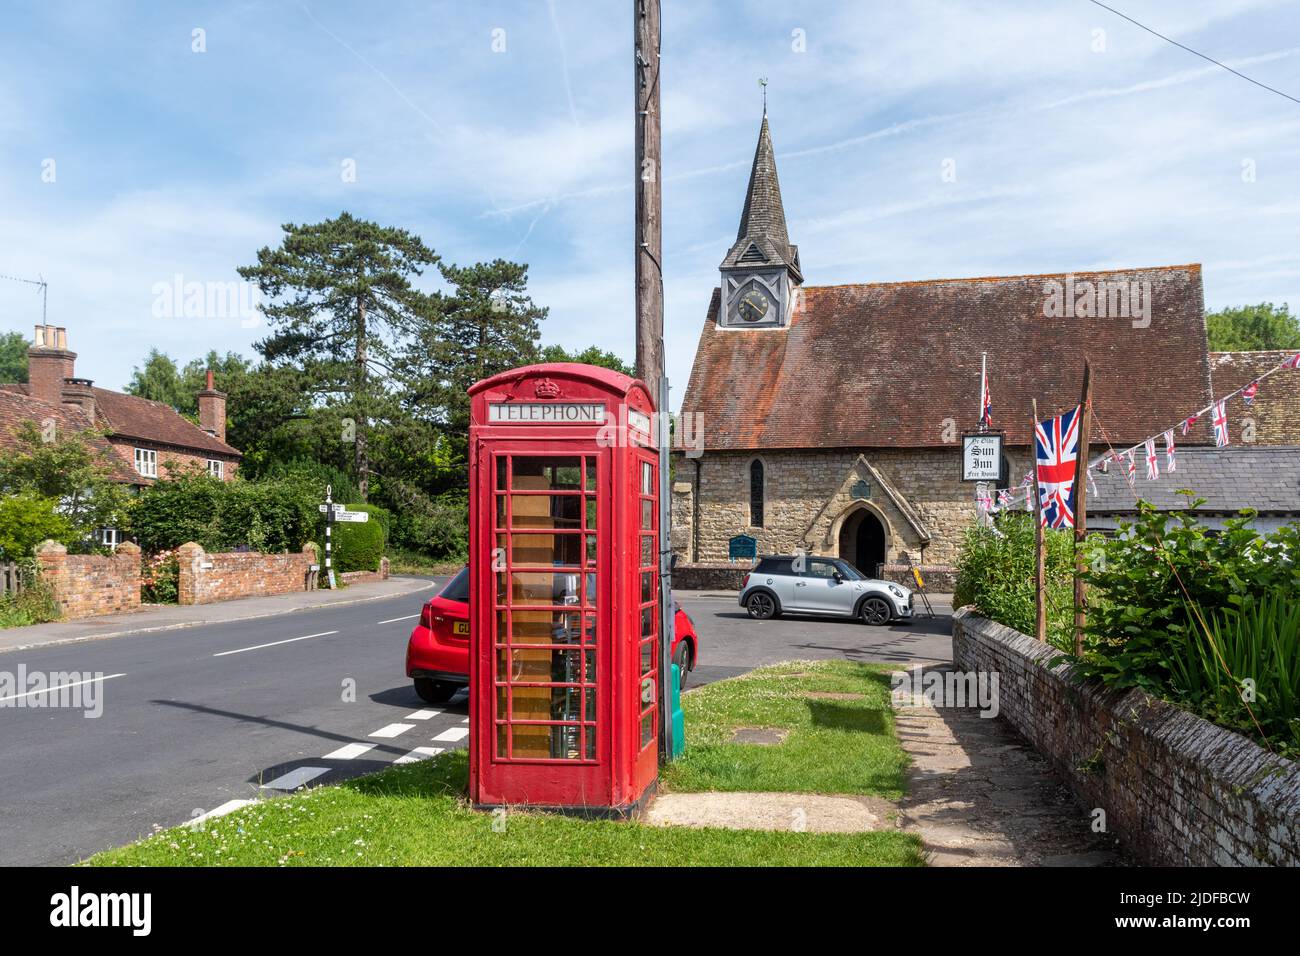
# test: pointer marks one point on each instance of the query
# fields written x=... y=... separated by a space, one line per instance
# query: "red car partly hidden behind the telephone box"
x=439 y=651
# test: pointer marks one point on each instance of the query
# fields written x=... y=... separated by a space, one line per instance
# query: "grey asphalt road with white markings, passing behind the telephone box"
x=210 y=715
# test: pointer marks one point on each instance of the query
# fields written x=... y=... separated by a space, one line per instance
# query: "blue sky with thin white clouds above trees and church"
x=1073 y=150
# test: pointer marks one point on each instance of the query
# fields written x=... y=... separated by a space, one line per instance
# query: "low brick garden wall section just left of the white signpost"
x=209 y=578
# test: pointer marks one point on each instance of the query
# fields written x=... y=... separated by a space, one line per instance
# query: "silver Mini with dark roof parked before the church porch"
x=821 y=586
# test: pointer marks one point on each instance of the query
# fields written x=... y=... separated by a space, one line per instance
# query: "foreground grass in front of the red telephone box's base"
x=415 y=816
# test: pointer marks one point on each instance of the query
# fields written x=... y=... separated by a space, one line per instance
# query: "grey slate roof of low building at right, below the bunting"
x=1262 y=478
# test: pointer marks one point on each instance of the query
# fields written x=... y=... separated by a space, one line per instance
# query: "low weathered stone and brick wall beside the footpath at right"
x=1177 y=790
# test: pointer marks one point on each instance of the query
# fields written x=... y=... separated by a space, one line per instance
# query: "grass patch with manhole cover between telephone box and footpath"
x=835 y=745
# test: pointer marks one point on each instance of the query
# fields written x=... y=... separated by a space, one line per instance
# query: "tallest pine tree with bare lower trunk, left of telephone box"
x=339 y=299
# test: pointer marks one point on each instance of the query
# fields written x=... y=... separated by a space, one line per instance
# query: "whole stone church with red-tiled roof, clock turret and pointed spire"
x=831 y=417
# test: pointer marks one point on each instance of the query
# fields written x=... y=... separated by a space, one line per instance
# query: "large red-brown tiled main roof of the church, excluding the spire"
x=898 y=365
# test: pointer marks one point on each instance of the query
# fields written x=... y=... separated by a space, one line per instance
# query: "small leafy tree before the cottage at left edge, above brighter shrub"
x=72 y=471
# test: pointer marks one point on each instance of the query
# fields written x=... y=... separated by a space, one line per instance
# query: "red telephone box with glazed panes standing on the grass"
x=565 y=592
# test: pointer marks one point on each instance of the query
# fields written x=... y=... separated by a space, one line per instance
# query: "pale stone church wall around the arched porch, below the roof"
x=809 y=495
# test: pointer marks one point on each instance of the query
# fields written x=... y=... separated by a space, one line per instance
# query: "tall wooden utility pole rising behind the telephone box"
x=649 y=231
